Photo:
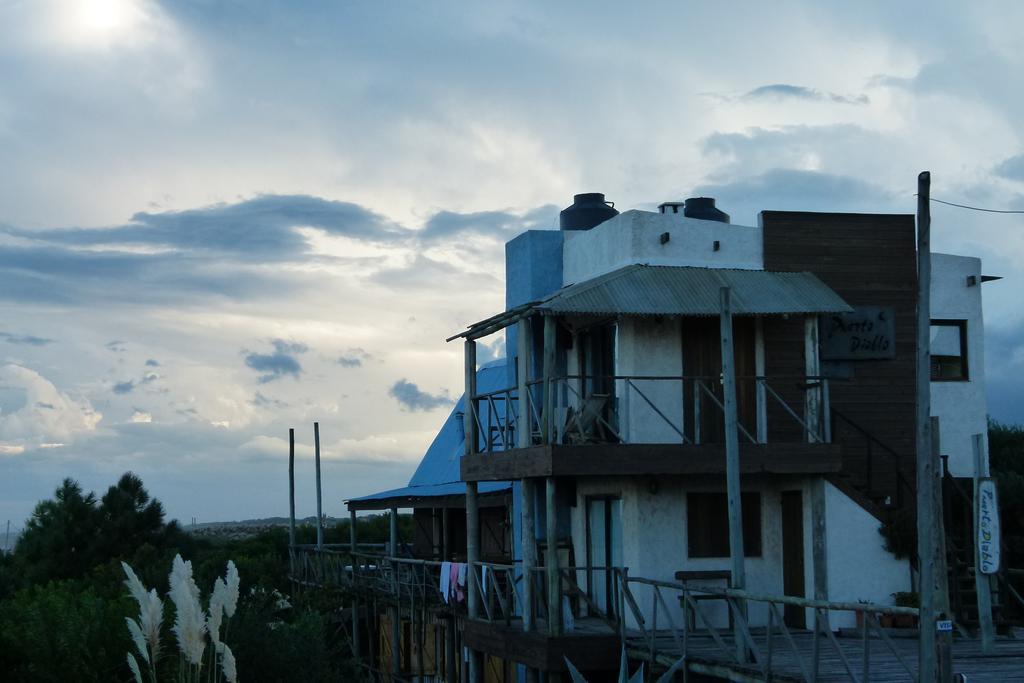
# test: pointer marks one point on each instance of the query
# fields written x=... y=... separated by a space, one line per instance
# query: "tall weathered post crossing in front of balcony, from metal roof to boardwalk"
x=739 y=574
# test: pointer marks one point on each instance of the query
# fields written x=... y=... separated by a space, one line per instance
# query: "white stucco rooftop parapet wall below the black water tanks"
x=634 y=237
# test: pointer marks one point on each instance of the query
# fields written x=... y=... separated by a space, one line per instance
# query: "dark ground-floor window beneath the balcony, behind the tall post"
x=708 y=525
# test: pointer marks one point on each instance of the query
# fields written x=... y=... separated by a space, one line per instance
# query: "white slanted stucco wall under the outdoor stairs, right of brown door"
x=860 y=568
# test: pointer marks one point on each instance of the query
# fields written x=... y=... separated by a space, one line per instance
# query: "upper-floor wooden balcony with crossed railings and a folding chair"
x=648 y=425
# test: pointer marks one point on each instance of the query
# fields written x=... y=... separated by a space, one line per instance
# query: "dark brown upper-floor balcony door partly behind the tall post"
x=703 y=359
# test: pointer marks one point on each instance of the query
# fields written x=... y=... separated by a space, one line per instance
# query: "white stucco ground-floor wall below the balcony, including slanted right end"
x=655 y=544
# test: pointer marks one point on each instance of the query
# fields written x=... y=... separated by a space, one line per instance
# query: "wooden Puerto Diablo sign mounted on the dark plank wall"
x=869 y=333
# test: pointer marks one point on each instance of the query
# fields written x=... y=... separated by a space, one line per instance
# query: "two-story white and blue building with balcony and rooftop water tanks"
x=600 y=446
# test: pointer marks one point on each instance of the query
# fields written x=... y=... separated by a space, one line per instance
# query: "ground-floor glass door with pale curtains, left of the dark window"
x=605 y=548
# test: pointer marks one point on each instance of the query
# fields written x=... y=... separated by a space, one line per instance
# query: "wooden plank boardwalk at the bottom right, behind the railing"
x=1006 y=665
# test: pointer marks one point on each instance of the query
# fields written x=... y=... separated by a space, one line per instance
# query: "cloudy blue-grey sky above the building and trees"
x=222 y=220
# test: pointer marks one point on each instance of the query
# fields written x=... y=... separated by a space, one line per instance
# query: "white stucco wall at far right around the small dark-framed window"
x=961 y=407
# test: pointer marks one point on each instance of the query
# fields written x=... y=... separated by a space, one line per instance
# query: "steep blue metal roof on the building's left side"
x=439 y=474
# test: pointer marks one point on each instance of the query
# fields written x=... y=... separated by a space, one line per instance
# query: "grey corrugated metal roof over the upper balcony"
x=663 y=290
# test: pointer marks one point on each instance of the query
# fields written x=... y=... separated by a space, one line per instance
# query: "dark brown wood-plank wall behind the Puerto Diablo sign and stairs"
x=869 y=260
